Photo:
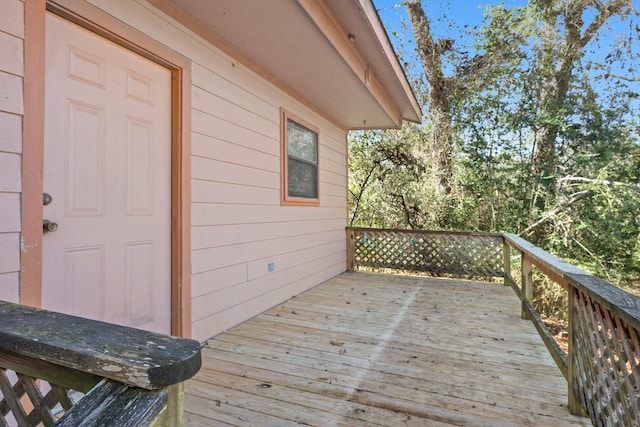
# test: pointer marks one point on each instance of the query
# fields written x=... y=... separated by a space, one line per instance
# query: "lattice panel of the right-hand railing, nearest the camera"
x=607 y=357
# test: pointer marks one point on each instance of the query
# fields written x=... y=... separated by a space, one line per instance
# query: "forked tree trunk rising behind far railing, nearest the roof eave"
x=449 y=94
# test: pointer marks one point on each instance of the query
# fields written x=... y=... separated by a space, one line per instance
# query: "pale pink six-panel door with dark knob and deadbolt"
x=107 y=168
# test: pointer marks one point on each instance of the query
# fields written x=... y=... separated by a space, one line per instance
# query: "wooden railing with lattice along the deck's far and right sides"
x=602 y=365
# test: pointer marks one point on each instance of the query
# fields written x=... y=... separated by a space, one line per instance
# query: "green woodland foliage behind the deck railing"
x=525 y=81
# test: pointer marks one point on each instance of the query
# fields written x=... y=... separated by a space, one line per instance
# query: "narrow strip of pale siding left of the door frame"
x=11 y=110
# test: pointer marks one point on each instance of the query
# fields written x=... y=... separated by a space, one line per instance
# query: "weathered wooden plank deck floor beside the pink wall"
x=382 y=350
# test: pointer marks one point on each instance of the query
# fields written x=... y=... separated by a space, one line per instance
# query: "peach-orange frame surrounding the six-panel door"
x=105 y=25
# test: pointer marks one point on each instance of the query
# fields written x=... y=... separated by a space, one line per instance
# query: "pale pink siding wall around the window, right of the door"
x=238 y=224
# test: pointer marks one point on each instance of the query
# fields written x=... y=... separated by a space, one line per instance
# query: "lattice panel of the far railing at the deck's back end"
x=437 y=253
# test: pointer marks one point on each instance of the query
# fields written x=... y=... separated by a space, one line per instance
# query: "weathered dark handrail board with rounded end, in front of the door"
x=131 y=356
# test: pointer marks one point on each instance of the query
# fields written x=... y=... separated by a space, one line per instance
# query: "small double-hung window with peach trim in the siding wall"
x=299 y=162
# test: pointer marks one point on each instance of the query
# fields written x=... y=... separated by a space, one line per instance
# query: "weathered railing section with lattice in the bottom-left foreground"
x=61 y=370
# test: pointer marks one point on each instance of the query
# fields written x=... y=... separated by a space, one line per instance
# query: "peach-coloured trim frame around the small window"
x=285 y=199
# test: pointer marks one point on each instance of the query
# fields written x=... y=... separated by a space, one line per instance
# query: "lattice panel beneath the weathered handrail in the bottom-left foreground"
x=22 y=401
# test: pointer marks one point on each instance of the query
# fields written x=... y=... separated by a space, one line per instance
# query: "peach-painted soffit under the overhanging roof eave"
x=285 y=42
